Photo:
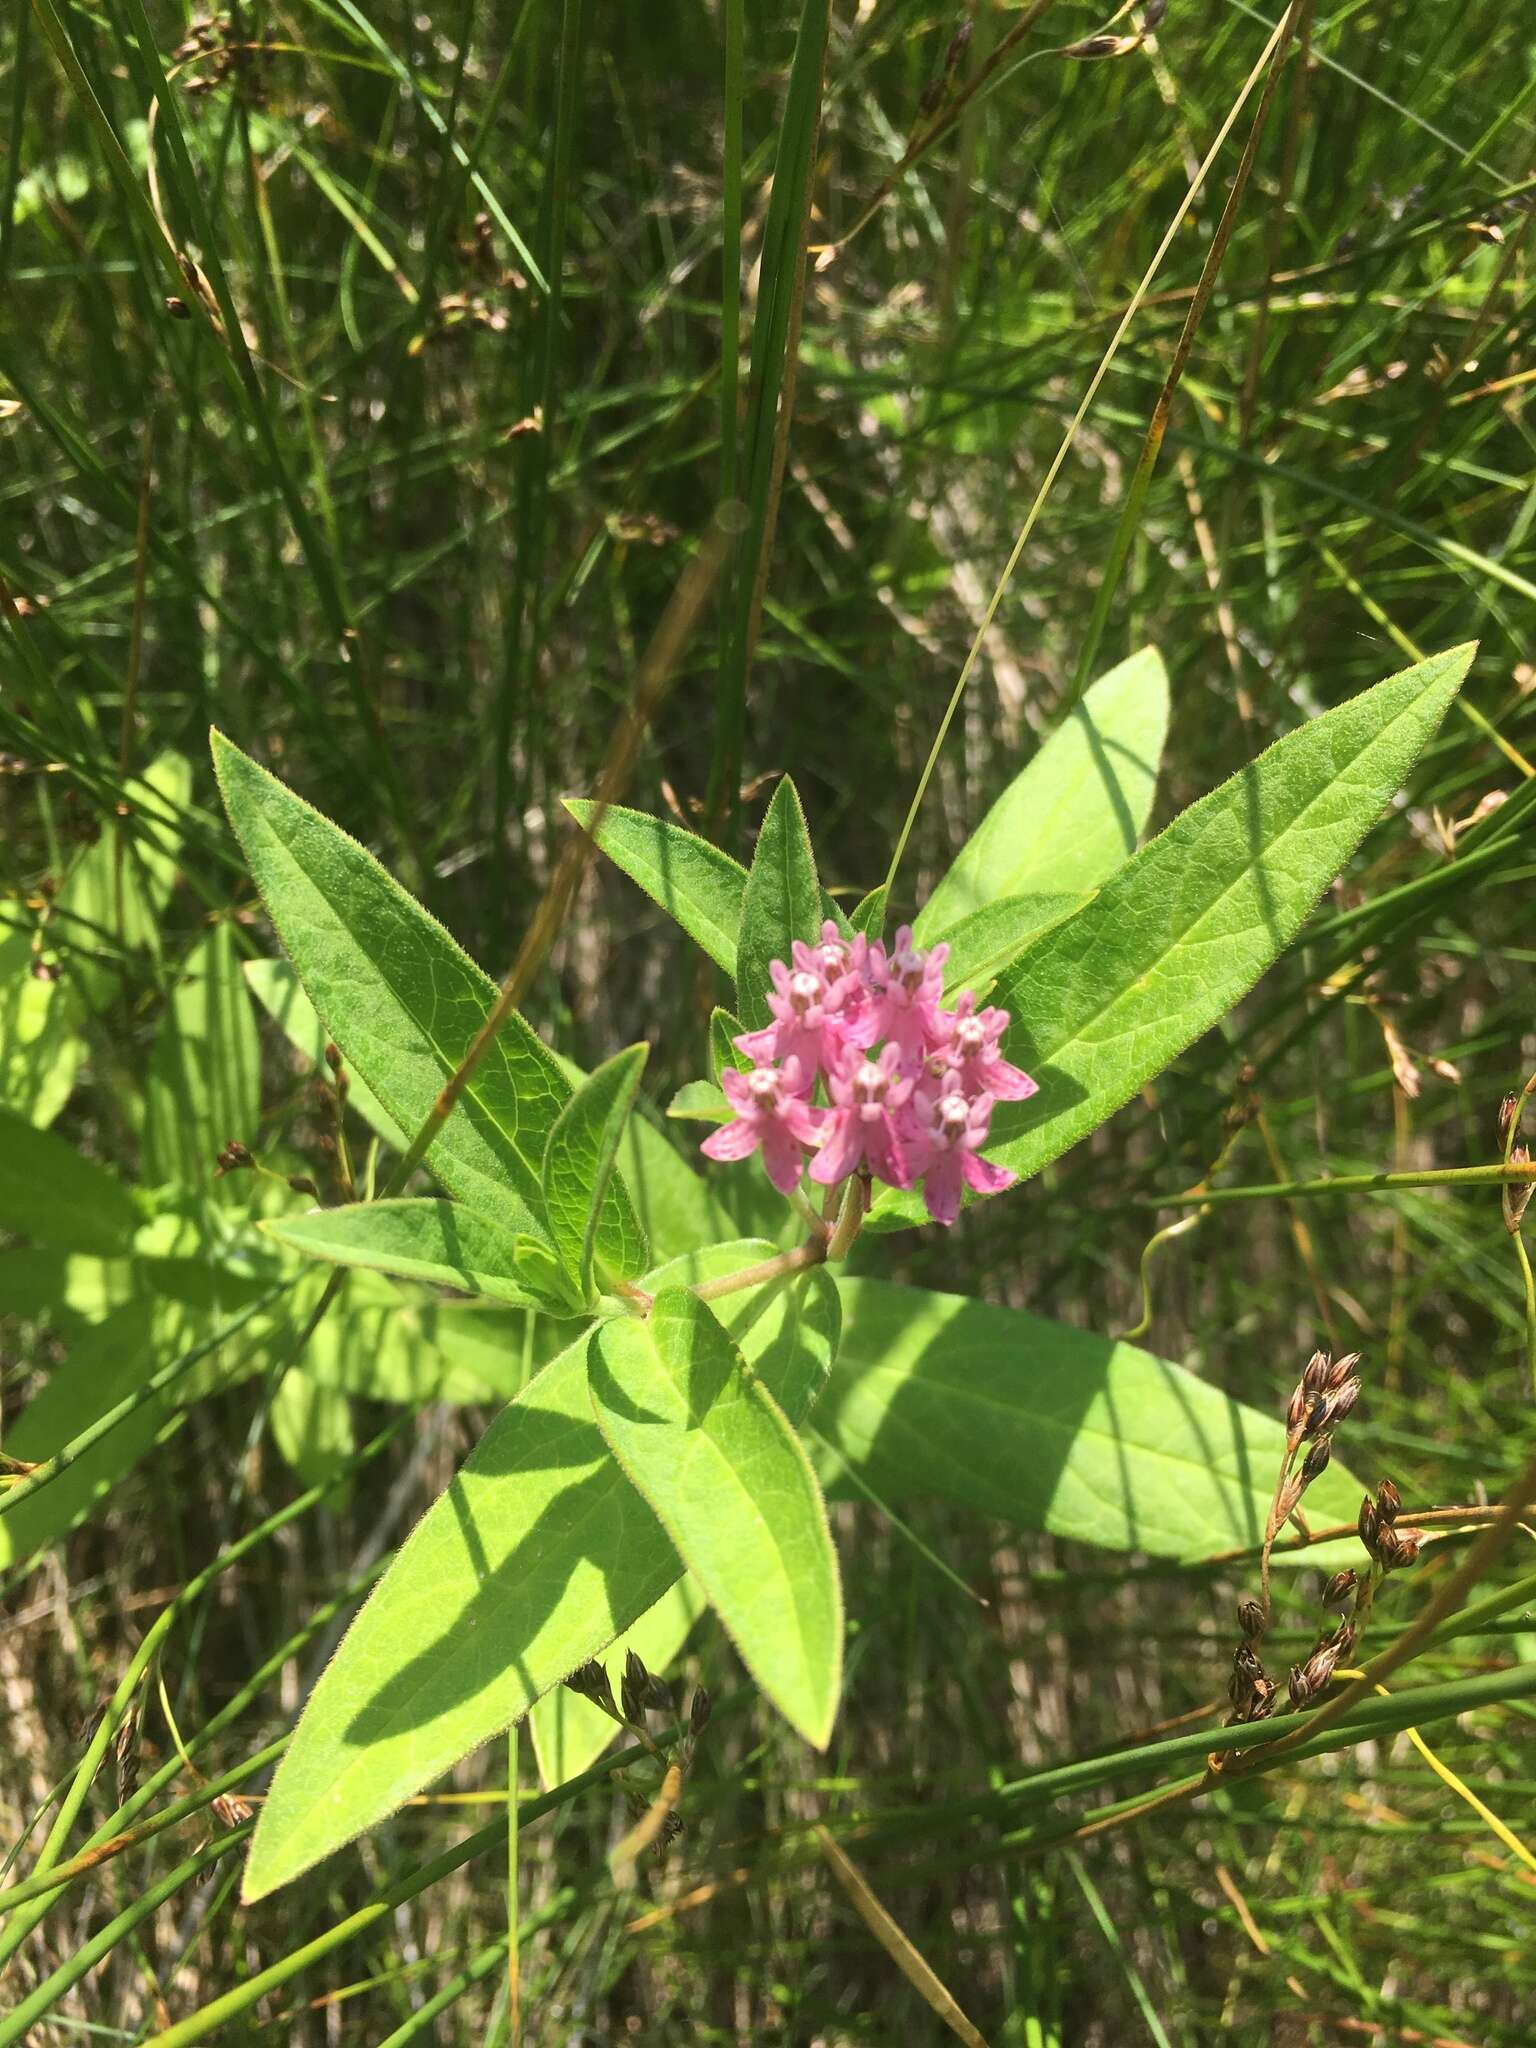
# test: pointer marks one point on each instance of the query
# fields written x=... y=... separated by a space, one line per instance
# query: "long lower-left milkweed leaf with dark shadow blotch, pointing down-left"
x=536 y=1560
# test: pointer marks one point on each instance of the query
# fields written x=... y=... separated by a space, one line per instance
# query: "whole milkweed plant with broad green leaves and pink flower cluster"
x=691 y=1359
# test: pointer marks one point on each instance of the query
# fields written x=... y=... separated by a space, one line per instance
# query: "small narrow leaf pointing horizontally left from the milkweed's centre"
x=445 y=1244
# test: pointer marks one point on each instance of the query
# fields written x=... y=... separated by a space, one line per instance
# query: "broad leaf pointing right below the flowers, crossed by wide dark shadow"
x=1052 y=1428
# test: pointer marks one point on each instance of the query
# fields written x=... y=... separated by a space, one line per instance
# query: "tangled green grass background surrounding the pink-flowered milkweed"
x=429 y=624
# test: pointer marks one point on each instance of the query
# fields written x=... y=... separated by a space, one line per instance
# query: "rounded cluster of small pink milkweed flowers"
x=914 y=1111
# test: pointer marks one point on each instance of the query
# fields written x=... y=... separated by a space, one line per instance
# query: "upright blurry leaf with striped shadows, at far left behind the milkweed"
x=204 y=1080
